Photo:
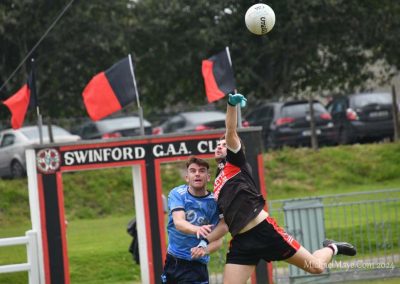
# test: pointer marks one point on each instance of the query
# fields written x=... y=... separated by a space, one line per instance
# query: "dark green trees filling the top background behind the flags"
x=316 y=47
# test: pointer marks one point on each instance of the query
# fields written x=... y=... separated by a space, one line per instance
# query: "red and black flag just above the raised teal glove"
x=218 y=76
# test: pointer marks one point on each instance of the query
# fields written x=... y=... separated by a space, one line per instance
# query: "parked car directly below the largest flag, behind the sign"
x=112 y=128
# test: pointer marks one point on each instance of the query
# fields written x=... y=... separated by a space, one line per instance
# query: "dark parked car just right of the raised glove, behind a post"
x=288 y=123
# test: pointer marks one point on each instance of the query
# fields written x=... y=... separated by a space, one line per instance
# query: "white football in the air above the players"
x=260 y=19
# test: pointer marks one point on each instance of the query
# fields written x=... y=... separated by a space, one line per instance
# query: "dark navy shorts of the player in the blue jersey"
x=180 y=271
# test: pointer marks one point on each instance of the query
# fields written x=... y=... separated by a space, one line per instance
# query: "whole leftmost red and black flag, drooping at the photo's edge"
x=19 y=103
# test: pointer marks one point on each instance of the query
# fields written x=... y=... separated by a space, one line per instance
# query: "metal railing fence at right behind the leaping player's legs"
x=369 y=220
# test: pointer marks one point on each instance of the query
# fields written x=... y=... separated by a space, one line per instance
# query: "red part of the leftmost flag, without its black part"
x=18 y=106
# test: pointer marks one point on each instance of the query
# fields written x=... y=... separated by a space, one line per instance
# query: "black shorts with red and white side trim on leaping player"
x=265 y=241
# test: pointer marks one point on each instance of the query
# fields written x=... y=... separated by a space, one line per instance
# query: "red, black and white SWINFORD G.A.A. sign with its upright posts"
x=46 y=163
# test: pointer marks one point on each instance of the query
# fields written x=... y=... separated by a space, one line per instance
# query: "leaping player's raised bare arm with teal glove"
x=231 y=136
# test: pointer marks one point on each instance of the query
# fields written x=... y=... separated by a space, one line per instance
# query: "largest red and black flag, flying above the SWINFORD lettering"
x=111 y=90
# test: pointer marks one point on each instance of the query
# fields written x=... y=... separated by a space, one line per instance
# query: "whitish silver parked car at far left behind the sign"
x=14 y=142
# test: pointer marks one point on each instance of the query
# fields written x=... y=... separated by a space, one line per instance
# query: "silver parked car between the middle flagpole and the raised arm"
x=192 y=121
